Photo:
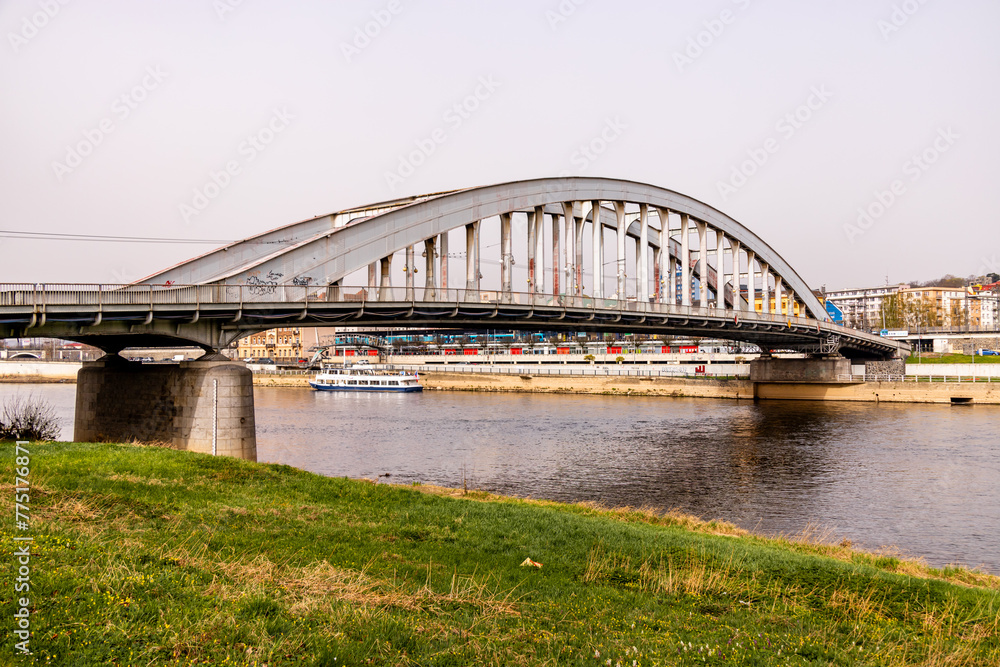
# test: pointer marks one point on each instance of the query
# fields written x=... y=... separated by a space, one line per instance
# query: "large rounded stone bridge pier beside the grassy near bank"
x=204 y=405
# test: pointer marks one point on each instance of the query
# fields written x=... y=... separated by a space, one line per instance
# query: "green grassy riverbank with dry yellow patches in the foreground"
x=147 y=556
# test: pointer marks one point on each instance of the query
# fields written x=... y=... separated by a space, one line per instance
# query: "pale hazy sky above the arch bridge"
x=859 y=138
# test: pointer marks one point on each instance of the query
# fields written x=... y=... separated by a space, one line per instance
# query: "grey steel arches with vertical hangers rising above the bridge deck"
x=324 y=251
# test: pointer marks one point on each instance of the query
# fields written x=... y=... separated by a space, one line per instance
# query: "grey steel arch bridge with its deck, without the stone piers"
x=680 y=267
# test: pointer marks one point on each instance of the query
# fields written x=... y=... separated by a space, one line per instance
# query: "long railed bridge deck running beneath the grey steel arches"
x=117 y=316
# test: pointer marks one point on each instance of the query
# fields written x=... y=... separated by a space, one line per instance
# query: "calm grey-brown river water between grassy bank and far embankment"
x=922 y=478
